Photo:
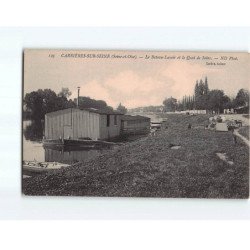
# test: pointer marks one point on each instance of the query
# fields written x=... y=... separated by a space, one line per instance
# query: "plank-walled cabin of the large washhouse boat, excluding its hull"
x=76 y=123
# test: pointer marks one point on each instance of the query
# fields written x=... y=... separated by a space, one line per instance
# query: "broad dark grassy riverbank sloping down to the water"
x=149 y=168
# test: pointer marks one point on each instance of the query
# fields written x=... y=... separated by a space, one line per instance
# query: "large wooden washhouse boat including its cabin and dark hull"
x=76 y=127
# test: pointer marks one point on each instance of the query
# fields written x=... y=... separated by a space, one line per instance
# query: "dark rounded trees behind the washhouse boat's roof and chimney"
x=37 y=103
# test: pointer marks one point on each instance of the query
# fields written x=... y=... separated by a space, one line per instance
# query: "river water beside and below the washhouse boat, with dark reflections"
x=33 y=148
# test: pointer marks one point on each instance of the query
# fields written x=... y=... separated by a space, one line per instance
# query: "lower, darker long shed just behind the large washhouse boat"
x=135 y=124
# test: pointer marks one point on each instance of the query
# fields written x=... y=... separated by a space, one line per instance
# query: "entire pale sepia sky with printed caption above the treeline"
x=134 y=78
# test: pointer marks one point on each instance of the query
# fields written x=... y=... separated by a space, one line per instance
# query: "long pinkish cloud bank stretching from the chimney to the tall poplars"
x=134 y=89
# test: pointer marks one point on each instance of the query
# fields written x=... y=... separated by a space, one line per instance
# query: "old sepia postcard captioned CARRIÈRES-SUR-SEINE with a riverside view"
x=135 y=124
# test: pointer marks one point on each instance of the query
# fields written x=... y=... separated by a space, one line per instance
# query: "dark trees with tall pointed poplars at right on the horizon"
x=213 y=101
